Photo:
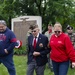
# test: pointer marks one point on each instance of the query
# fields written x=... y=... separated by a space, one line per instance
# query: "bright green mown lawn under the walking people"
x=21 y=66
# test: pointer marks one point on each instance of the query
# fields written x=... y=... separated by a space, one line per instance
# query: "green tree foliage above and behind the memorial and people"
x=62 y=11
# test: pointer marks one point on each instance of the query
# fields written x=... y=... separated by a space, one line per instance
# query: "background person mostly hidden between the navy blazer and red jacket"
x=48 y=34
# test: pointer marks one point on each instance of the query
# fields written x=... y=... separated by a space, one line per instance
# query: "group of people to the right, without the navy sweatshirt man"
x=57 y=43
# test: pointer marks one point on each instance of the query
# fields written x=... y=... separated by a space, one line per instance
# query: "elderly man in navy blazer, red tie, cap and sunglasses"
x=37 y=53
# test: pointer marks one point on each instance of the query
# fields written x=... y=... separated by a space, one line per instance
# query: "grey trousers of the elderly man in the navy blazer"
x=38 y=69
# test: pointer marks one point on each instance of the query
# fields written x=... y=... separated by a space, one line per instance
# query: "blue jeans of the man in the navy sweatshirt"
x=8 y=63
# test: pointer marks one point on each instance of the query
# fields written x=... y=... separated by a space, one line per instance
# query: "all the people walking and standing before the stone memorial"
x=59 y=45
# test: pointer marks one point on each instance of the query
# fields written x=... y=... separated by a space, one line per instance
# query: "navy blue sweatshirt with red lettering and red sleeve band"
x=7 y=41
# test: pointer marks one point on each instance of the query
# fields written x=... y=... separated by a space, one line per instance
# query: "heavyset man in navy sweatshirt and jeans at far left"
x=7 y=44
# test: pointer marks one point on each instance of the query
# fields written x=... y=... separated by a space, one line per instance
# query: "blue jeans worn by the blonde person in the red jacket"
x=60 y=68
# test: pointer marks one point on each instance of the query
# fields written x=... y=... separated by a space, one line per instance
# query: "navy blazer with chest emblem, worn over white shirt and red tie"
x=42 y=59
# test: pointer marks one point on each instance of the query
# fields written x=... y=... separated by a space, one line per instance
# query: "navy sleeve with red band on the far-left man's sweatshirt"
x=12 y=40
